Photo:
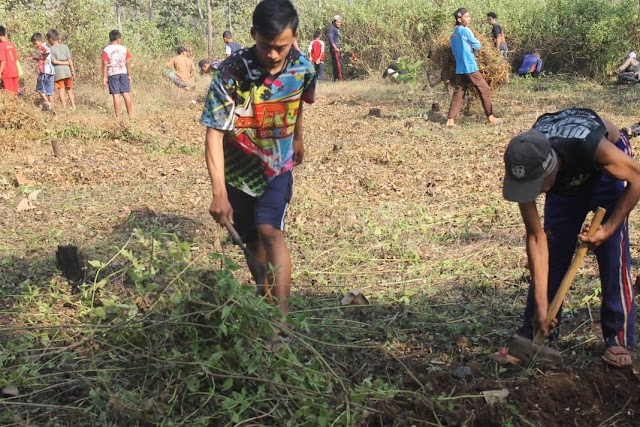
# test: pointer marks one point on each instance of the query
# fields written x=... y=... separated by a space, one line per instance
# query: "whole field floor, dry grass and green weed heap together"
x=399 y=206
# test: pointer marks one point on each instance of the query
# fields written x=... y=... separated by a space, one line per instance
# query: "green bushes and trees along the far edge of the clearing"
x=586 y=37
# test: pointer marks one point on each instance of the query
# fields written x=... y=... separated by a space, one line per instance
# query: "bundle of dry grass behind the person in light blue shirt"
x=493 y=67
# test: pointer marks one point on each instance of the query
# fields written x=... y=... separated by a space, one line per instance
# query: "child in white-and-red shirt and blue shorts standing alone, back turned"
x=116 y=71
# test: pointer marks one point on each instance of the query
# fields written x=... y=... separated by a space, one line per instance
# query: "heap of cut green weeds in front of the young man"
x=171 y=344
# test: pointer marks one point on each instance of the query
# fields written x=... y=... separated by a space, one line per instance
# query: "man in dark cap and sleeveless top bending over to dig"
x=581 y=161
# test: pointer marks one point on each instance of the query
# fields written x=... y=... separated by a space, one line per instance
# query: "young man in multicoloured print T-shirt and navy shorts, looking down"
x=253 y=115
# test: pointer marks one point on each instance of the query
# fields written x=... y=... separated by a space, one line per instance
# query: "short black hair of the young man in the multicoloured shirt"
x=272 y=17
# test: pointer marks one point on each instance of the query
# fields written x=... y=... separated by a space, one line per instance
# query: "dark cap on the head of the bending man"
x=528 y=160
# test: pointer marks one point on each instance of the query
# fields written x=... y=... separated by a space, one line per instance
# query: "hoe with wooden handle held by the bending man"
x=524 y=348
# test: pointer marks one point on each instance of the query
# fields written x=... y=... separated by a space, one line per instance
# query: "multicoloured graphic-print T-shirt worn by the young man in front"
x=260 y=113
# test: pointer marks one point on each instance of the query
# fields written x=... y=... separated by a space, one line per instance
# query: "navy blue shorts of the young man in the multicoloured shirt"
x=270 y=208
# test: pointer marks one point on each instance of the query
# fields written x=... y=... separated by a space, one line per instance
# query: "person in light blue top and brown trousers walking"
x=463 y=45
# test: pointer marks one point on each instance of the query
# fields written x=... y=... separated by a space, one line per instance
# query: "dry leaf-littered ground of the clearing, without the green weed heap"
x=396 y=205
